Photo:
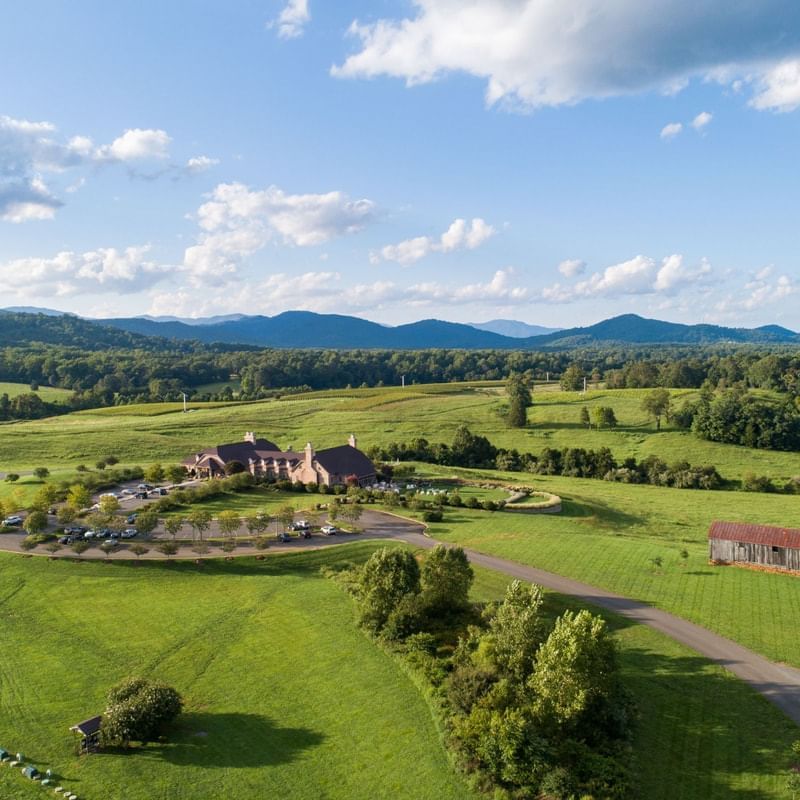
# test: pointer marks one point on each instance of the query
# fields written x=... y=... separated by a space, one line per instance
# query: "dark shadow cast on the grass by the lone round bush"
x=229 y=740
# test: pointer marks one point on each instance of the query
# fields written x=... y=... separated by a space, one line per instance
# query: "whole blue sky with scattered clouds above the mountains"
x=555 y=162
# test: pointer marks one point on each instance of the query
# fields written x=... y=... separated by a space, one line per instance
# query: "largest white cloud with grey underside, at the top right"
x=535 y=53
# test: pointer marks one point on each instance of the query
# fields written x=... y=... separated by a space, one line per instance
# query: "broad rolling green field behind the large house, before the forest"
x=139 y=434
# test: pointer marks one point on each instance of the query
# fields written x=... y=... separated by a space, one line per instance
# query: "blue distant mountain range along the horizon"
x=336 y=331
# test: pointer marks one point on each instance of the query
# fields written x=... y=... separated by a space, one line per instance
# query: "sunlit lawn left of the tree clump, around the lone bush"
x=291 y=699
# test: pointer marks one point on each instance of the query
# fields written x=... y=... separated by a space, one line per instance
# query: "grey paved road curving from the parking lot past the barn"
x=777 y=683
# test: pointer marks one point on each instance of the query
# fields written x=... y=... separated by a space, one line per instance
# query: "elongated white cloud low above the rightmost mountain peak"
x=638 y=276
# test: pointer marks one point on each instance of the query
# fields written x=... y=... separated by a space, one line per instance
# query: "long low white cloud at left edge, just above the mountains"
x=68 y=273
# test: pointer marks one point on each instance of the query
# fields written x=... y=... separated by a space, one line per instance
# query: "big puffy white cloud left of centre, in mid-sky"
x=237 y=222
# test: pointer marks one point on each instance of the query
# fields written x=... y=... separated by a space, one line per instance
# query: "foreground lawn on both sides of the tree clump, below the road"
x=286 y=698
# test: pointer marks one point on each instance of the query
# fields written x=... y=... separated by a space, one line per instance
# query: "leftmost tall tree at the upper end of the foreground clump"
x=387 y=577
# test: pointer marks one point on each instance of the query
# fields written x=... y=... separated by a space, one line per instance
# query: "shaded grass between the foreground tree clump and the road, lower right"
x=689 y=743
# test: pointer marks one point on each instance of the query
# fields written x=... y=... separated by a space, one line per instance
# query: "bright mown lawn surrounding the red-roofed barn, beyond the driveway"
x=608 y=534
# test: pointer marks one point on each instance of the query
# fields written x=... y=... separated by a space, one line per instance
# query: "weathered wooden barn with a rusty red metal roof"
x=755 y=545
